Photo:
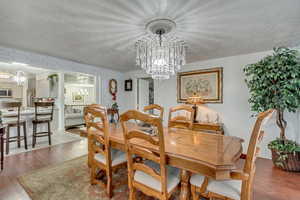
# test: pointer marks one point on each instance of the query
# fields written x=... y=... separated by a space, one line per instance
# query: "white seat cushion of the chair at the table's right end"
x=228 y=188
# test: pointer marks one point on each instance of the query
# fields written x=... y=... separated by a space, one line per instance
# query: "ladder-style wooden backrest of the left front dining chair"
x=98 y=132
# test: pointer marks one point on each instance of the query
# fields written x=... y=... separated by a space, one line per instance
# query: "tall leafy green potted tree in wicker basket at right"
x=274 y=83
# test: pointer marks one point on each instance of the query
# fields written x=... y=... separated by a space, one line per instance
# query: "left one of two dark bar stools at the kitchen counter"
x=14 y=120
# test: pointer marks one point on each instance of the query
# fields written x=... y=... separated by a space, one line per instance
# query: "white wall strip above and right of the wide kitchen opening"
x=62 y=65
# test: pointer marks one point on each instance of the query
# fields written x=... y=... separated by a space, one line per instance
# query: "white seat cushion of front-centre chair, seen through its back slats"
x=173 y=177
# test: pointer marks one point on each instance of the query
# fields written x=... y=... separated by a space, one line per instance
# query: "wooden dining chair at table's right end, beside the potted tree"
x=239 y=187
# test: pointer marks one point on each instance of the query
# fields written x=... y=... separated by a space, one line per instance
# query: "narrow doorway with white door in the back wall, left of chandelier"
x=145 y=92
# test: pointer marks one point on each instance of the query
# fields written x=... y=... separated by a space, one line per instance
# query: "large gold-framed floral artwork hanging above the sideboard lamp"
x=207 y=83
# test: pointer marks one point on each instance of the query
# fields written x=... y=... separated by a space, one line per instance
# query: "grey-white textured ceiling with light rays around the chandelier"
x=103 y=32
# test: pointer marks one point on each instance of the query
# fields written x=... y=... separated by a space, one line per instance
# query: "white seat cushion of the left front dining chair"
x=117 y=157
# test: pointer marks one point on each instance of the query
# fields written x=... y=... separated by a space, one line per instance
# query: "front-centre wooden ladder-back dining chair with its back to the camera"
x=151 y=176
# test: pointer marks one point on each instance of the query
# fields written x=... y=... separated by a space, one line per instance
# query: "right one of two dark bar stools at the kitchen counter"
x=44 y=116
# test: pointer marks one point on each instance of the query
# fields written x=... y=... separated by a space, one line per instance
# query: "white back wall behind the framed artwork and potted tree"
x=235 y=110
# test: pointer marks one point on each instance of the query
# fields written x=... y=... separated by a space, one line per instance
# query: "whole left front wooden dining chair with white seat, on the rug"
x=104 y=159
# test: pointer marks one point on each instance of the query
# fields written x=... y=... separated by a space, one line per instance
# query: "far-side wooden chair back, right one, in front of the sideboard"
x=184 y=117
